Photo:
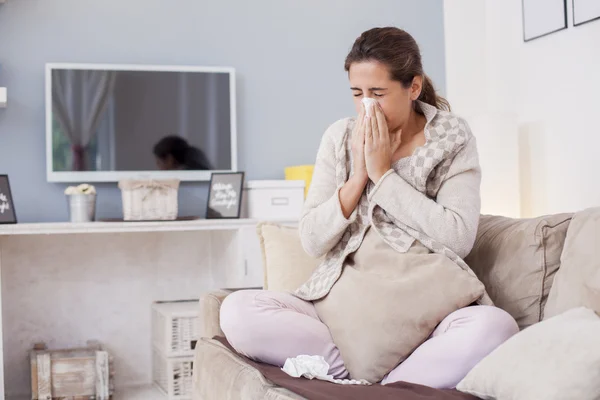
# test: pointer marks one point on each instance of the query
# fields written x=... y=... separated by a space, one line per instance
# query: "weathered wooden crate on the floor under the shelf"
x=71 y=374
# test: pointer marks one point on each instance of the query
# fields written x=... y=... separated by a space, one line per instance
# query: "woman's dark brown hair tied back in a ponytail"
x=399 y=51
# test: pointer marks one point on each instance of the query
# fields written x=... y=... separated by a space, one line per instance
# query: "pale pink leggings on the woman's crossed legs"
x=273 y=326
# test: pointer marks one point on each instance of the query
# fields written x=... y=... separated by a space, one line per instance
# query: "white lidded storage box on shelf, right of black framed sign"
x=269 y=200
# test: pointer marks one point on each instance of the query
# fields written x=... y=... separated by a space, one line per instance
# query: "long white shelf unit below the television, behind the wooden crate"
x=102 y=278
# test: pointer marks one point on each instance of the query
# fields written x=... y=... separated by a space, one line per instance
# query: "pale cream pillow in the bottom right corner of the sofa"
x=557 y=359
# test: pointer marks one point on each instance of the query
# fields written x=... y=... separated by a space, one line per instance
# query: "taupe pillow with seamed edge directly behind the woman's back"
x=517 y=259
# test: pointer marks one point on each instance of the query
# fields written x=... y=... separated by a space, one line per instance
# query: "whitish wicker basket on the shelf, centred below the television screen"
x=149 y=200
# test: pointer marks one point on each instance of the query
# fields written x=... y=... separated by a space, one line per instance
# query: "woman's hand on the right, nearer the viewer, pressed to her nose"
x=379 y=145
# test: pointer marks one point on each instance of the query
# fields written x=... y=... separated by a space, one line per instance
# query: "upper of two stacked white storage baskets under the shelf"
x=175 y=327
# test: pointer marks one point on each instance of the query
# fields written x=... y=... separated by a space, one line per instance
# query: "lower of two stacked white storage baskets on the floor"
x=173 y=376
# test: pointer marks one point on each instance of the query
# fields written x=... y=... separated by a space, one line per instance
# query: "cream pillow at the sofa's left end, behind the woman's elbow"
x=286 y=264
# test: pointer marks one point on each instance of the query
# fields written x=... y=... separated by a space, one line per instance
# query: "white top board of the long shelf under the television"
x=50 y=228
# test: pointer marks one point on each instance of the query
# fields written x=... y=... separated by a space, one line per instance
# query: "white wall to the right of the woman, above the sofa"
x=545 y=91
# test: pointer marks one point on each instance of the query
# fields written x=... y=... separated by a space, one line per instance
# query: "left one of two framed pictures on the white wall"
x=543 y=17
